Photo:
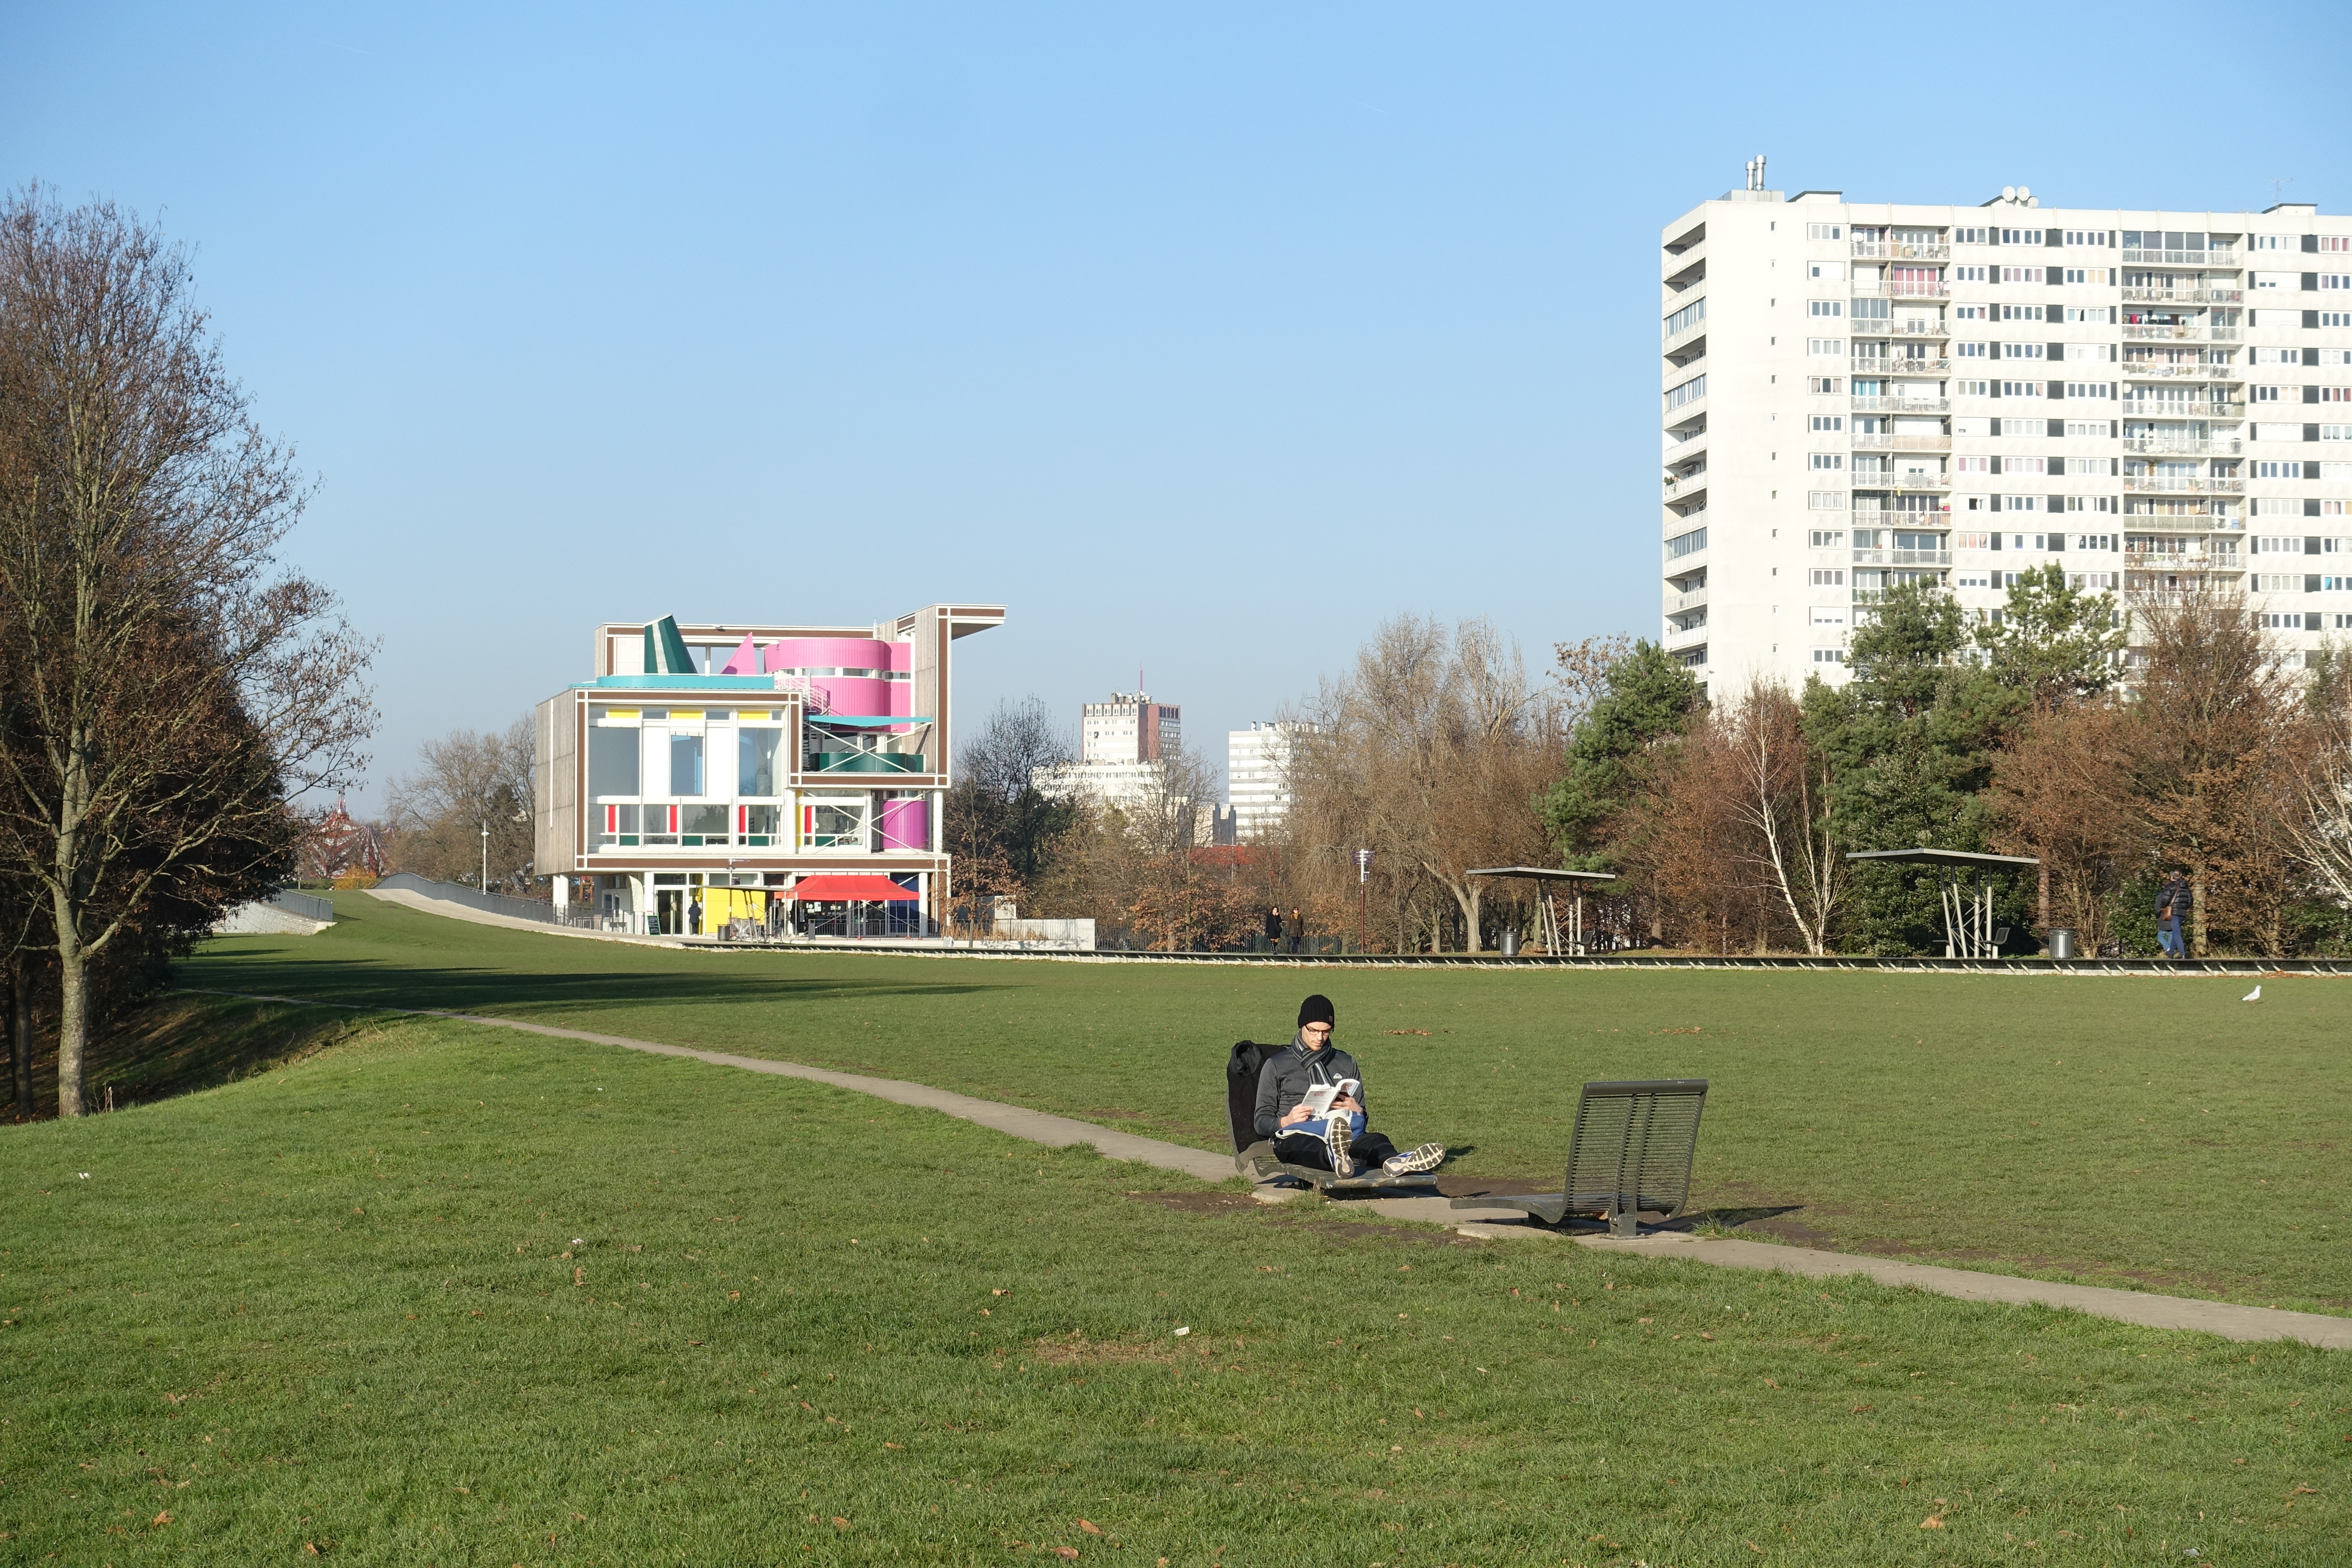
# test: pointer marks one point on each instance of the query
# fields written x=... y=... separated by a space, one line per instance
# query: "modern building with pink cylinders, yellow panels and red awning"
x=756 y=779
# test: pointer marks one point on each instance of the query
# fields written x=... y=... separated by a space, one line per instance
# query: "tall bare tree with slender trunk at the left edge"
x=140 y=601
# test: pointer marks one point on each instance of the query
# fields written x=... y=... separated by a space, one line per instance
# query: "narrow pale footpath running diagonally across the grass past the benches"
x=2149 y=1311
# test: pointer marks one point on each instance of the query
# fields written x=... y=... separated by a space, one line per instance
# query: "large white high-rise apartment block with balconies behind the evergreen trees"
x=1862 y=396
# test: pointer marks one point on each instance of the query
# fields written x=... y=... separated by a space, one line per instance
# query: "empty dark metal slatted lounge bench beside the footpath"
x=1631 y=1153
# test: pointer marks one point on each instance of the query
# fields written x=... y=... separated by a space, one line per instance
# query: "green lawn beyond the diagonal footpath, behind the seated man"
x=2123 y=1132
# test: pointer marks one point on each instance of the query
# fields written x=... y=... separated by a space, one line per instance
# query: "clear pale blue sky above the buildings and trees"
x=1201 y=337
